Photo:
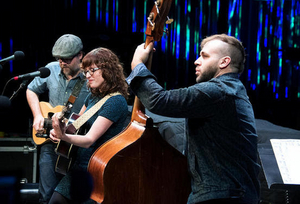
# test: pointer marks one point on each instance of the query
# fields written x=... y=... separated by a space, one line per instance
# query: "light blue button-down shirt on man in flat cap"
x=59 y=87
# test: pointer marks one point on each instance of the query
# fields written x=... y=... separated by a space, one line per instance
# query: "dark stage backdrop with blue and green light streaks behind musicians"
x=34 y=26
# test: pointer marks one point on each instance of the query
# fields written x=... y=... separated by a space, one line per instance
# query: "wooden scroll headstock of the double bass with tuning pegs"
x=157 y=19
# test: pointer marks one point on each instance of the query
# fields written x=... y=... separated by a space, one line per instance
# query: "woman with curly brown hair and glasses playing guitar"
x=105 y=77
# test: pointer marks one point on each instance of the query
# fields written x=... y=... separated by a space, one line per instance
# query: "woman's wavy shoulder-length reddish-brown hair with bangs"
x=112 y=71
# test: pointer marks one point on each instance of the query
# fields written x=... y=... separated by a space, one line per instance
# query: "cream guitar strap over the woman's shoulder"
x=89 y=113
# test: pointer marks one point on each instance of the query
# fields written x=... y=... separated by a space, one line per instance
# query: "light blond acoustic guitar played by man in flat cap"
x=47 y=112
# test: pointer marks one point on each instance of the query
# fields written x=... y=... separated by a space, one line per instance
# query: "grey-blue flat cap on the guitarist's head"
x=67 y=46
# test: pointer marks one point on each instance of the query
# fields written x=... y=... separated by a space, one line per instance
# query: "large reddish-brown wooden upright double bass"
x=138 y=166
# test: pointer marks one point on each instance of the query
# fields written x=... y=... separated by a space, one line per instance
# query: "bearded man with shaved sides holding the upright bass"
x=221 y=133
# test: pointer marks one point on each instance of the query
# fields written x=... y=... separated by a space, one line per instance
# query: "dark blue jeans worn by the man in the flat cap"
x=48 y=179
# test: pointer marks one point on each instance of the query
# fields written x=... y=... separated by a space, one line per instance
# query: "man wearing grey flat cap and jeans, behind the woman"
x=64 y=78
